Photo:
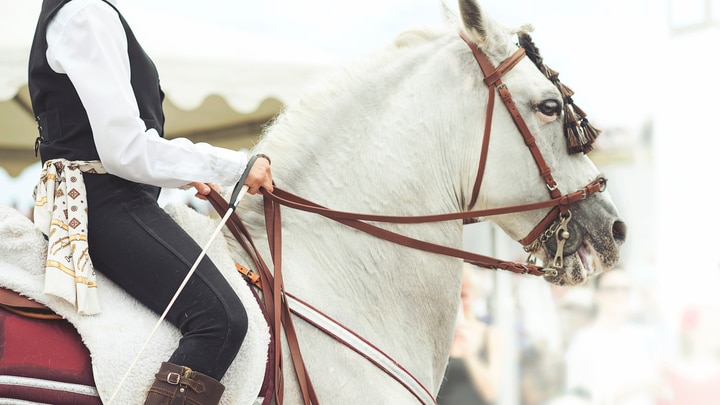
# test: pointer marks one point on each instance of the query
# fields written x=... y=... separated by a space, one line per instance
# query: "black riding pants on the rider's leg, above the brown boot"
x=138 y=246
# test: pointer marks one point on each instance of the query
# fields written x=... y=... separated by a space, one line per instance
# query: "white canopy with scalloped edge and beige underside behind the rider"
x=221 y=86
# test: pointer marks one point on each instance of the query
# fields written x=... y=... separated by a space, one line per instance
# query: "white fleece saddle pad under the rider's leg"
x=115 y=336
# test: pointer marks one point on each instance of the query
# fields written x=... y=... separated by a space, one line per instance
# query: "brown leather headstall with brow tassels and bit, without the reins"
x=556 y=222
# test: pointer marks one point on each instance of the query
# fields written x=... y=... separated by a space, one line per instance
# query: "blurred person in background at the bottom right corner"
x=693 y=377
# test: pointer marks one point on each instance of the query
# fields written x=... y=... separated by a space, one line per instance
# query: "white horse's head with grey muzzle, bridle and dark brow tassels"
x=582 y=240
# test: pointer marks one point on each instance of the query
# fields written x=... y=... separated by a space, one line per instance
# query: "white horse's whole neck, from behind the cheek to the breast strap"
x=377 y=142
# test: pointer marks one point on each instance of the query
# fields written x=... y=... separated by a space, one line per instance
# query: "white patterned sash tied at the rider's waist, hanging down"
x=61 y=214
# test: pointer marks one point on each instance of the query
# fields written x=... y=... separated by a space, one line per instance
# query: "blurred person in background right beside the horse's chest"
x=473 y=370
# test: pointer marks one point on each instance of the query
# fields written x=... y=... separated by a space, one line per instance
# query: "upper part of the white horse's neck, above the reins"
x=373 y=139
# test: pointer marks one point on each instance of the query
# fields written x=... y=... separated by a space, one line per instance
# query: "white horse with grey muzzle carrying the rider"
x=400 y=133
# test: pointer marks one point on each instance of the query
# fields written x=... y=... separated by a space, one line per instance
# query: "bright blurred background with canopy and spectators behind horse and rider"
x=644 y=70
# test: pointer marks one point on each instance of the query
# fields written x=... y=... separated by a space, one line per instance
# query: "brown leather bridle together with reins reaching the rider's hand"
x=557 y=218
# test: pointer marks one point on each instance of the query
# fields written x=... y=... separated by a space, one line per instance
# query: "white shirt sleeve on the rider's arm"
x=86 y=41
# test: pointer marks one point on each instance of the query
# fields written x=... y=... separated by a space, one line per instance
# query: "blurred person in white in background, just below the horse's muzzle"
x=612 y=360
